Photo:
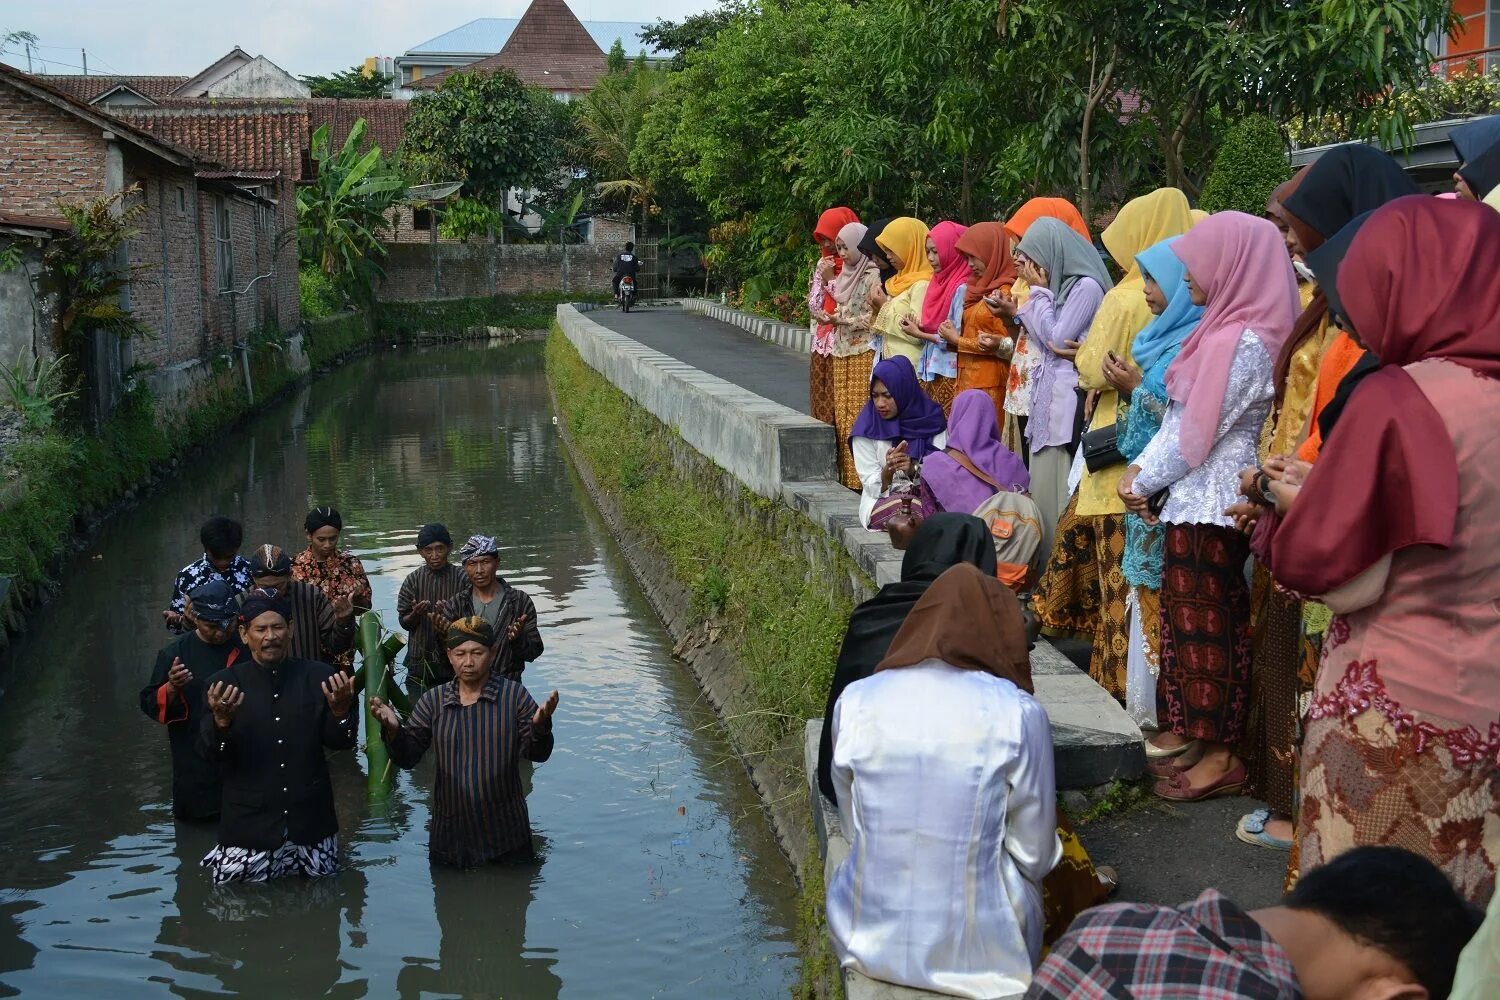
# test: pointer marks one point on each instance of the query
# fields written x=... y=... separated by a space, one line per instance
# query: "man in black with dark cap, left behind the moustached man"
x=175 y=695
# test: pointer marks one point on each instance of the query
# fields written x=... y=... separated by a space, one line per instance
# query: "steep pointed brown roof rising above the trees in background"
x=550 y=49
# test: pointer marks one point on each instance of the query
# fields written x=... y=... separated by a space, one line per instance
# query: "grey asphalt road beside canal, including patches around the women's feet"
x=1165 y=854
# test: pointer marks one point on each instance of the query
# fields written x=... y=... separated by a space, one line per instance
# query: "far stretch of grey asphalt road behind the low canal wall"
x=716 y=349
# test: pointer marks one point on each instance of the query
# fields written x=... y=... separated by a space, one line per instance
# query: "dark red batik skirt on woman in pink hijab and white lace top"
x=1204 y=690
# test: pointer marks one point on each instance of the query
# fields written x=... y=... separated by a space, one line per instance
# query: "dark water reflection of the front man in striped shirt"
x=482 y=920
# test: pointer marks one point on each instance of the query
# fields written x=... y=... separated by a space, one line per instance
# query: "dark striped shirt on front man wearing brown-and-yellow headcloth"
x=479 y=810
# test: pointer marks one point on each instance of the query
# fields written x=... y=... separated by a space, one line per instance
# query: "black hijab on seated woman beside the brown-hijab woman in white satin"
x=943 y=542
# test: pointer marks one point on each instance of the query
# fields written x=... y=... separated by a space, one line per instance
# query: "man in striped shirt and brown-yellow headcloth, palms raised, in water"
x=484 y=726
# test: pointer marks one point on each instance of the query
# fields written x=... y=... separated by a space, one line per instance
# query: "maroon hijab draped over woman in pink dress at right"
x=1418 y=283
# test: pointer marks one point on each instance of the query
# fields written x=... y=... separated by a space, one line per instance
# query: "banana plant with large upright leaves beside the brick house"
x=341 y=211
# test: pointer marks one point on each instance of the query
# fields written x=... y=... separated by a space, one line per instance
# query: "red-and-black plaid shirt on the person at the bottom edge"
x=1207 y=950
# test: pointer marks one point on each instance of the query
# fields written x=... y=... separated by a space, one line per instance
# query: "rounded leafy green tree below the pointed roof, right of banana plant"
x=487 y=131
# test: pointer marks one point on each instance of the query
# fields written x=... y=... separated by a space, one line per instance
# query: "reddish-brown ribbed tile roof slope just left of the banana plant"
x=239 y=137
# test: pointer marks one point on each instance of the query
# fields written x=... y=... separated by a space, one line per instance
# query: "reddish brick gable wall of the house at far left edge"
x=46 y=155
